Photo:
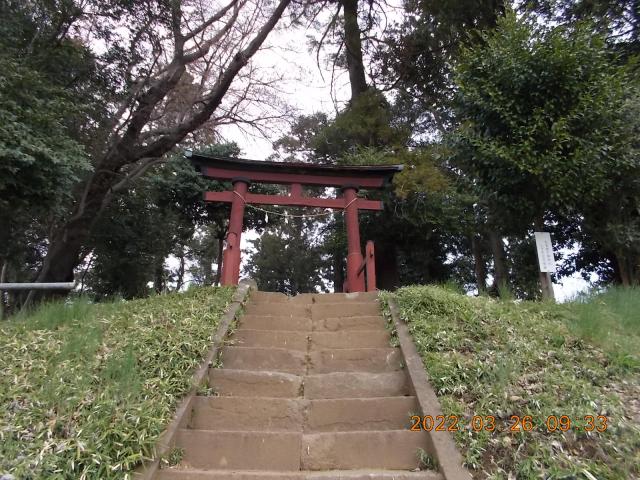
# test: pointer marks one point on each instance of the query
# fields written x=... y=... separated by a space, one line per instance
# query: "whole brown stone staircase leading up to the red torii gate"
x=309 y=389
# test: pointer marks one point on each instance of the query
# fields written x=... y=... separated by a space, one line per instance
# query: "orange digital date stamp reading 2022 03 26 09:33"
x=517 y=423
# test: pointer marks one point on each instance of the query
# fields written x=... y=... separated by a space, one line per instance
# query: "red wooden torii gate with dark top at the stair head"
x=349 y=179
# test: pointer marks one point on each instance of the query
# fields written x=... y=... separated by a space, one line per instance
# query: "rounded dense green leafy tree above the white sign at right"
x=544 y=134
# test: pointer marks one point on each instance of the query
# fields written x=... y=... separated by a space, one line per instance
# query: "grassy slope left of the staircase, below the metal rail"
x=85 y=390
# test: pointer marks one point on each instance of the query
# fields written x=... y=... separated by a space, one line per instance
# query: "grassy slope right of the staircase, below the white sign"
x=487 y=357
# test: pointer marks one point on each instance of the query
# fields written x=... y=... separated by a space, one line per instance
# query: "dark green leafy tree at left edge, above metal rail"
x=48 y=108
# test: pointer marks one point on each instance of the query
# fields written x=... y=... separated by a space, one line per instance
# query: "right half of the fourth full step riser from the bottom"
x=374 y=360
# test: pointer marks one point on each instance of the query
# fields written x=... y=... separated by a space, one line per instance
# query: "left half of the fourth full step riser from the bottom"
x=269 y=359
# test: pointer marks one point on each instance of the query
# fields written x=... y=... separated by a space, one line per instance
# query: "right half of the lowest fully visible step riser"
x=388 y=449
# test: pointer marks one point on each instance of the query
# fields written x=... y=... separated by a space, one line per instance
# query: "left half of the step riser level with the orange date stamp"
x=247 y=414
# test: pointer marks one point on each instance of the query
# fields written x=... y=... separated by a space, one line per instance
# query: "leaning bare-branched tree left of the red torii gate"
x=157 y=50
